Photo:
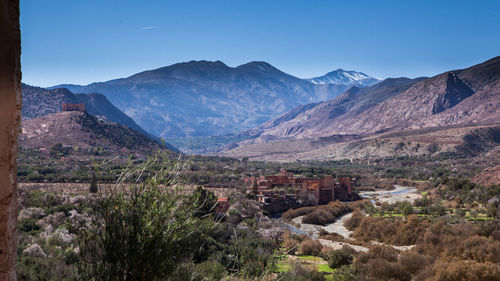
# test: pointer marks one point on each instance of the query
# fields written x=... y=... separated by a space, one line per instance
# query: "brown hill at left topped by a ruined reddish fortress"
x=84 y=133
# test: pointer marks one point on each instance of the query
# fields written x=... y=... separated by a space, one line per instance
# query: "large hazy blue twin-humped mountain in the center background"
x=204 y=98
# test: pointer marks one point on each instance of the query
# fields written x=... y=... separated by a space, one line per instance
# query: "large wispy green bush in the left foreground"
x=141 y=231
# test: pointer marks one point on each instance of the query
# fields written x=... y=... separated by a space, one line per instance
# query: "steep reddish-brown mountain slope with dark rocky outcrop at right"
x=460 y=97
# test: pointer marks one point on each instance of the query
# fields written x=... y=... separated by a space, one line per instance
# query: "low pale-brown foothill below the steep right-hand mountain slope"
x=452 y=142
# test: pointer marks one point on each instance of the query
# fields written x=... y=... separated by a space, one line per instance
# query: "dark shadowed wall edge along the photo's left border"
x=10 y=115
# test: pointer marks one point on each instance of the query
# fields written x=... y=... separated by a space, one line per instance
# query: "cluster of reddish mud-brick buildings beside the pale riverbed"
x=284 y=191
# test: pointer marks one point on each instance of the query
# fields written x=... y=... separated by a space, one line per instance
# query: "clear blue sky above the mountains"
x=71 y=41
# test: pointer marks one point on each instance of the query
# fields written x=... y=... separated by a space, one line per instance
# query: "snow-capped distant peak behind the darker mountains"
x=345 y=77
